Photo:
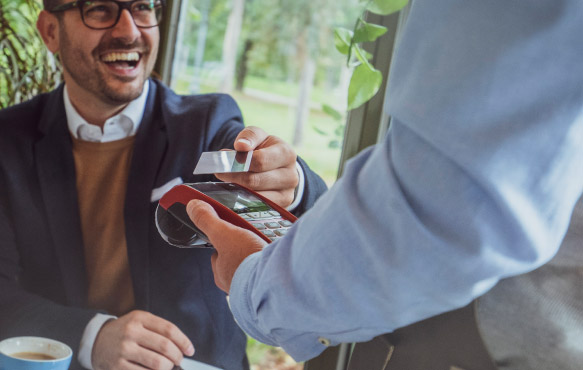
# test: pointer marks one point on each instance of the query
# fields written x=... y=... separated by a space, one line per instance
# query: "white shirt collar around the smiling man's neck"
x=120 y=126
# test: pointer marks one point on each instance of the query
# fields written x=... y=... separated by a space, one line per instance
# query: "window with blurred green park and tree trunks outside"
x=278 y=60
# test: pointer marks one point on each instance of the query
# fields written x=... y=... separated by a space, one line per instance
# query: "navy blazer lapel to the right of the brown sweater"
x=149 y=148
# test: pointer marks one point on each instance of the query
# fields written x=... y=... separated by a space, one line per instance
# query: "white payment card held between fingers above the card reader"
x=223 y=161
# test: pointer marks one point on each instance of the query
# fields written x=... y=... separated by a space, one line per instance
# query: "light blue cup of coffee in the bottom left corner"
x=34 y=353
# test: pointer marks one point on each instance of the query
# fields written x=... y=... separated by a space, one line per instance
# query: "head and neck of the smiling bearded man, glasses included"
x=107 y=54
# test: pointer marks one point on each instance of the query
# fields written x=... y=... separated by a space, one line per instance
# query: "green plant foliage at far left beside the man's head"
x=26 y=67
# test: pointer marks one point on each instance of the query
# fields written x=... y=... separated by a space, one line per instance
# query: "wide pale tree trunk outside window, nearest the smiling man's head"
x=230 y=43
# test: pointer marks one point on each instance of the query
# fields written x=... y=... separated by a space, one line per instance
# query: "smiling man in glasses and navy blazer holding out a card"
x=81 y=170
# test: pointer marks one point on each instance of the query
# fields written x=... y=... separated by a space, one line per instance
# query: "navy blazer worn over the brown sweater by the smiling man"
x=42 y=275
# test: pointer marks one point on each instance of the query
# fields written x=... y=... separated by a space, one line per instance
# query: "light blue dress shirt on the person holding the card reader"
x=475 y=182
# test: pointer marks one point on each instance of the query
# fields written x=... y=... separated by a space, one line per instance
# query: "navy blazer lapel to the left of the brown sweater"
x=56 y=173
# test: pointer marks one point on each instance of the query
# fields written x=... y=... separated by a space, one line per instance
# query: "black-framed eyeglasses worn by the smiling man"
x=103 y=14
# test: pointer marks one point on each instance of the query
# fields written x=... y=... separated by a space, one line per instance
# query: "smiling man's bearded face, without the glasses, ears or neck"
x=110 y=65
